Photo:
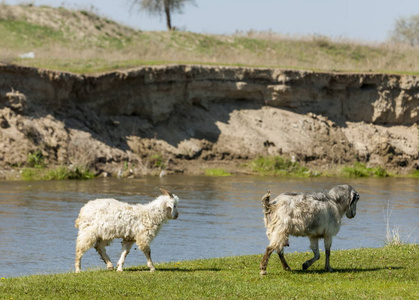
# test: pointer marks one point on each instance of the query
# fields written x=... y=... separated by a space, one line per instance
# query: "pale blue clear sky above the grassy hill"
x=359 y=20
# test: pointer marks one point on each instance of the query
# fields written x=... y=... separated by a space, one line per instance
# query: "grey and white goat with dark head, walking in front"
x=315 y=215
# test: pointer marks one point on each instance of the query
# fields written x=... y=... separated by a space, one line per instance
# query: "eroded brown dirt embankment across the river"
x=187 y=118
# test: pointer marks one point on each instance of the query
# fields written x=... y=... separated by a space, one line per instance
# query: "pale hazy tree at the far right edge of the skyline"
x=406 y=30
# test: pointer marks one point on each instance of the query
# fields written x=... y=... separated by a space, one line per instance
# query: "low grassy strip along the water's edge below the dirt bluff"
x=214 y=169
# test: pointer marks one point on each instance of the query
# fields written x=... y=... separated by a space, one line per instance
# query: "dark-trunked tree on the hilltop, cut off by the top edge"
x=157 y=7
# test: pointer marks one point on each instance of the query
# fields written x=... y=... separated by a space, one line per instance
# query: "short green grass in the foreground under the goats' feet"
x=391 y=272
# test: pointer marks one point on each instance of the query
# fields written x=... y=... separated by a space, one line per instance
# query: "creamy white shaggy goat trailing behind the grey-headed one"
x=102 y=220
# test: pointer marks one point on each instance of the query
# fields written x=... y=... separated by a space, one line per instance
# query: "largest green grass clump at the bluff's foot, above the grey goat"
x=278 y=165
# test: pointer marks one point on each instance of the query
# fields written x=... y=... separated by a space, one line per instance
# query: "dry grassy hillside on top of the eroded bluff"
x=82 y=42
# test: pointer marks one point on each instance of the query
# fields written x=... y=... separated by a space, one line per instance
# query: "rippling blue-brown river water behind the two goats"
x=218 y=217
